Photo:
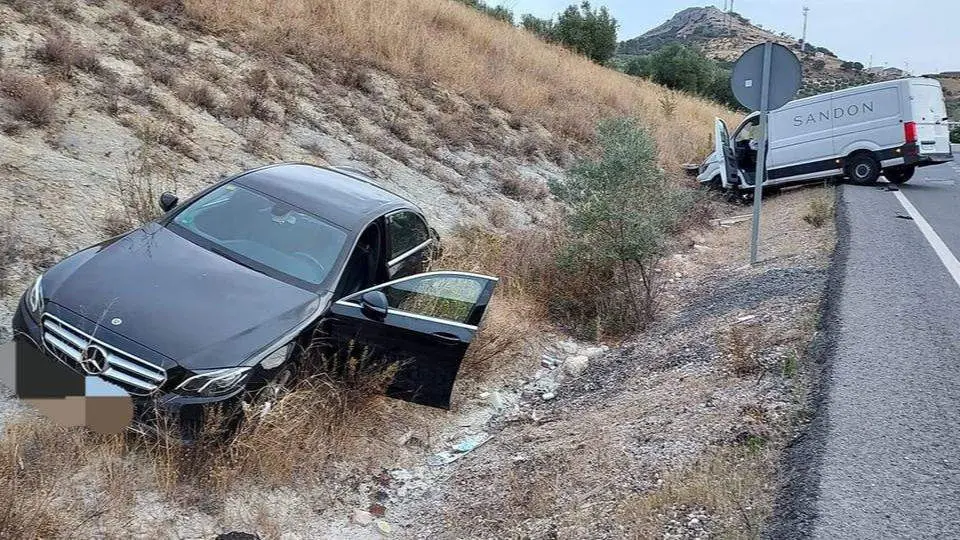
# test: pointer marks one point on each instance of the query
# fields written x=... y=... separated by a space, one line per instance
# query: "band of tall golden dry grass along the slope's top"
x=466 y=51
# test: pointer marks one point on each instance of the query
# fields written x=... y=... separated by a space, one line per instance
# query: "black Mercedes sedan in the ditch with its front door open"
x=222 y=293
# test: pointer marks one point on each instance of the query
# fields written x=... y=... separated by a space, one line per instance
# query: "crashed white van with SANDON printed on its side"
x=889 y=127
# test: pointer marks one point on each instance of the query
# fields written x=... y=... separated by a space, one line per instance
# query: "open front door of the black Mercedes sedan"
x=422 y=323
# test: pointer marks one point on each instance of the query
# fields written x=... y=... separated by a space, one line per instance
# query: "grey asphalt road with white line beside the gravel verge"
x=882 y=459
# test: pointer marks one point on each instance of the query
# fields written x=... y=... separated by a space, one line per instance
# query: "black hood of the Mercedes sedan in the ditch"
x=194 y=307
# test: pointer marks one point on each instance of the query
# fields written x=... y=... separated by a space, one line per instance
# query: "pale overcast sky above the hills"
x=915 y=35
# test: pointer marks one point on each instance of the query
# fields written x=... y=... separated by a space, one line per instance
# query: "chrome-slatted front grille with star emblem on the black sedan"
x=67 y=343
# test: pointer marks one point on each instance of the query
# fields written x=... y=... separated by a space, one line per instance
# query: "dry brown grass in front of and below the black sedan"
x=292 y=441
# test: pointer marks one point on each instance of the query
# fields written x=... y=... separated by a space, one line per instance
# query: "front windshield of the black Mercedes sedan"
x=263 y=233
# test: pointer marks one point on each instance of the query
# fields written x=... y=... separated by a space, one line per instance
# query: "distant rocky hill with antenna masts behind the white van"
x=724 y=36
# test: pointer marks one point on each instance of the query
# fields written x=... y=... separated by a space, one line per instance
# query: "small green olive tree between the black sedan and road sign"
x=621 y=209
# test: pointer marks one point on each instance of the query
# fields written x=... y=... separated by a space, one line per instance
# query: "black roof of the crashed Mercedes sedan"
x=347 y=199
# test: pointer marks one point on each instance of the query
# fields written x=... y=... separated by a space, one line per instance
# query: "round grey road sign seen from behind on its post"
x=747 y=75
